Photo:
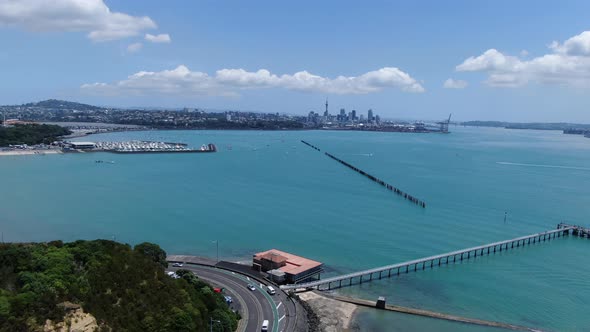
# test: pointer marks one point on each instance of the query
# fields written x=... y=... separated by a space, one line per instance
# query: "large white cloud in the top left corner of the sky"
x=92 y=16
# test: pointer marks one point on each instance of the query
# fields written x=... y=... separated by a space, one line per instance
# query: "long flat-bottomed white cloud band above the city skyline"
x=226 y=82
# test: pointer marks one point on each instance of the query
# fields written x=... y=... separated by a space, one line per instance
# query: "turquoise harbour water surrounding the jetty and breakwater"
x=267 y=190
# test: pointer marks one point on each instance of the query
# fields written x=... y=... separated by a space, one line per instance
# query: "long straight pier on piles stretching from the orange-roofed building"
x=437 y=260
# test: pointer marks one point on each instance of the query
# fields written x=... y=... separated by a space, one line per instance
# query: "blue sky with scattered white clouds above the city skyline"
x=416 y=60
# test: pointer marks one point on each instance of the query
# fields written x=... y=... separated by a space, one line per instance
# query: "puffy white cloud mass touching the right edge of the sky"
x=568 y=63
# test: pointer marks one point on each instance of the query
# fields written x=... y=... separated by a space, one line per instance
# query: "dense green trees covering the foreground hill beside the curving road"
x=124 y=288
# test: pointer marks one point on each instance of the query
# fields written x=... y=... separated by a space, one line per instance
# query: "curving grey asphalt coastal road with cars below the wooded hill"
x=254 y=306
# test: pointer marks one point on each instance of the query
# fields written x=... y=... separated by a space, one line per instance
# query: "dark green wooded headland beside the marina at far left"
x=31 y=134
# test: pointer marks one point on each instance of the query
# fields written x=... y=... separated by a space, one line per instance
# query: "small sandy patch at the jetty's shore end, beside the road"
x=334 y=315
